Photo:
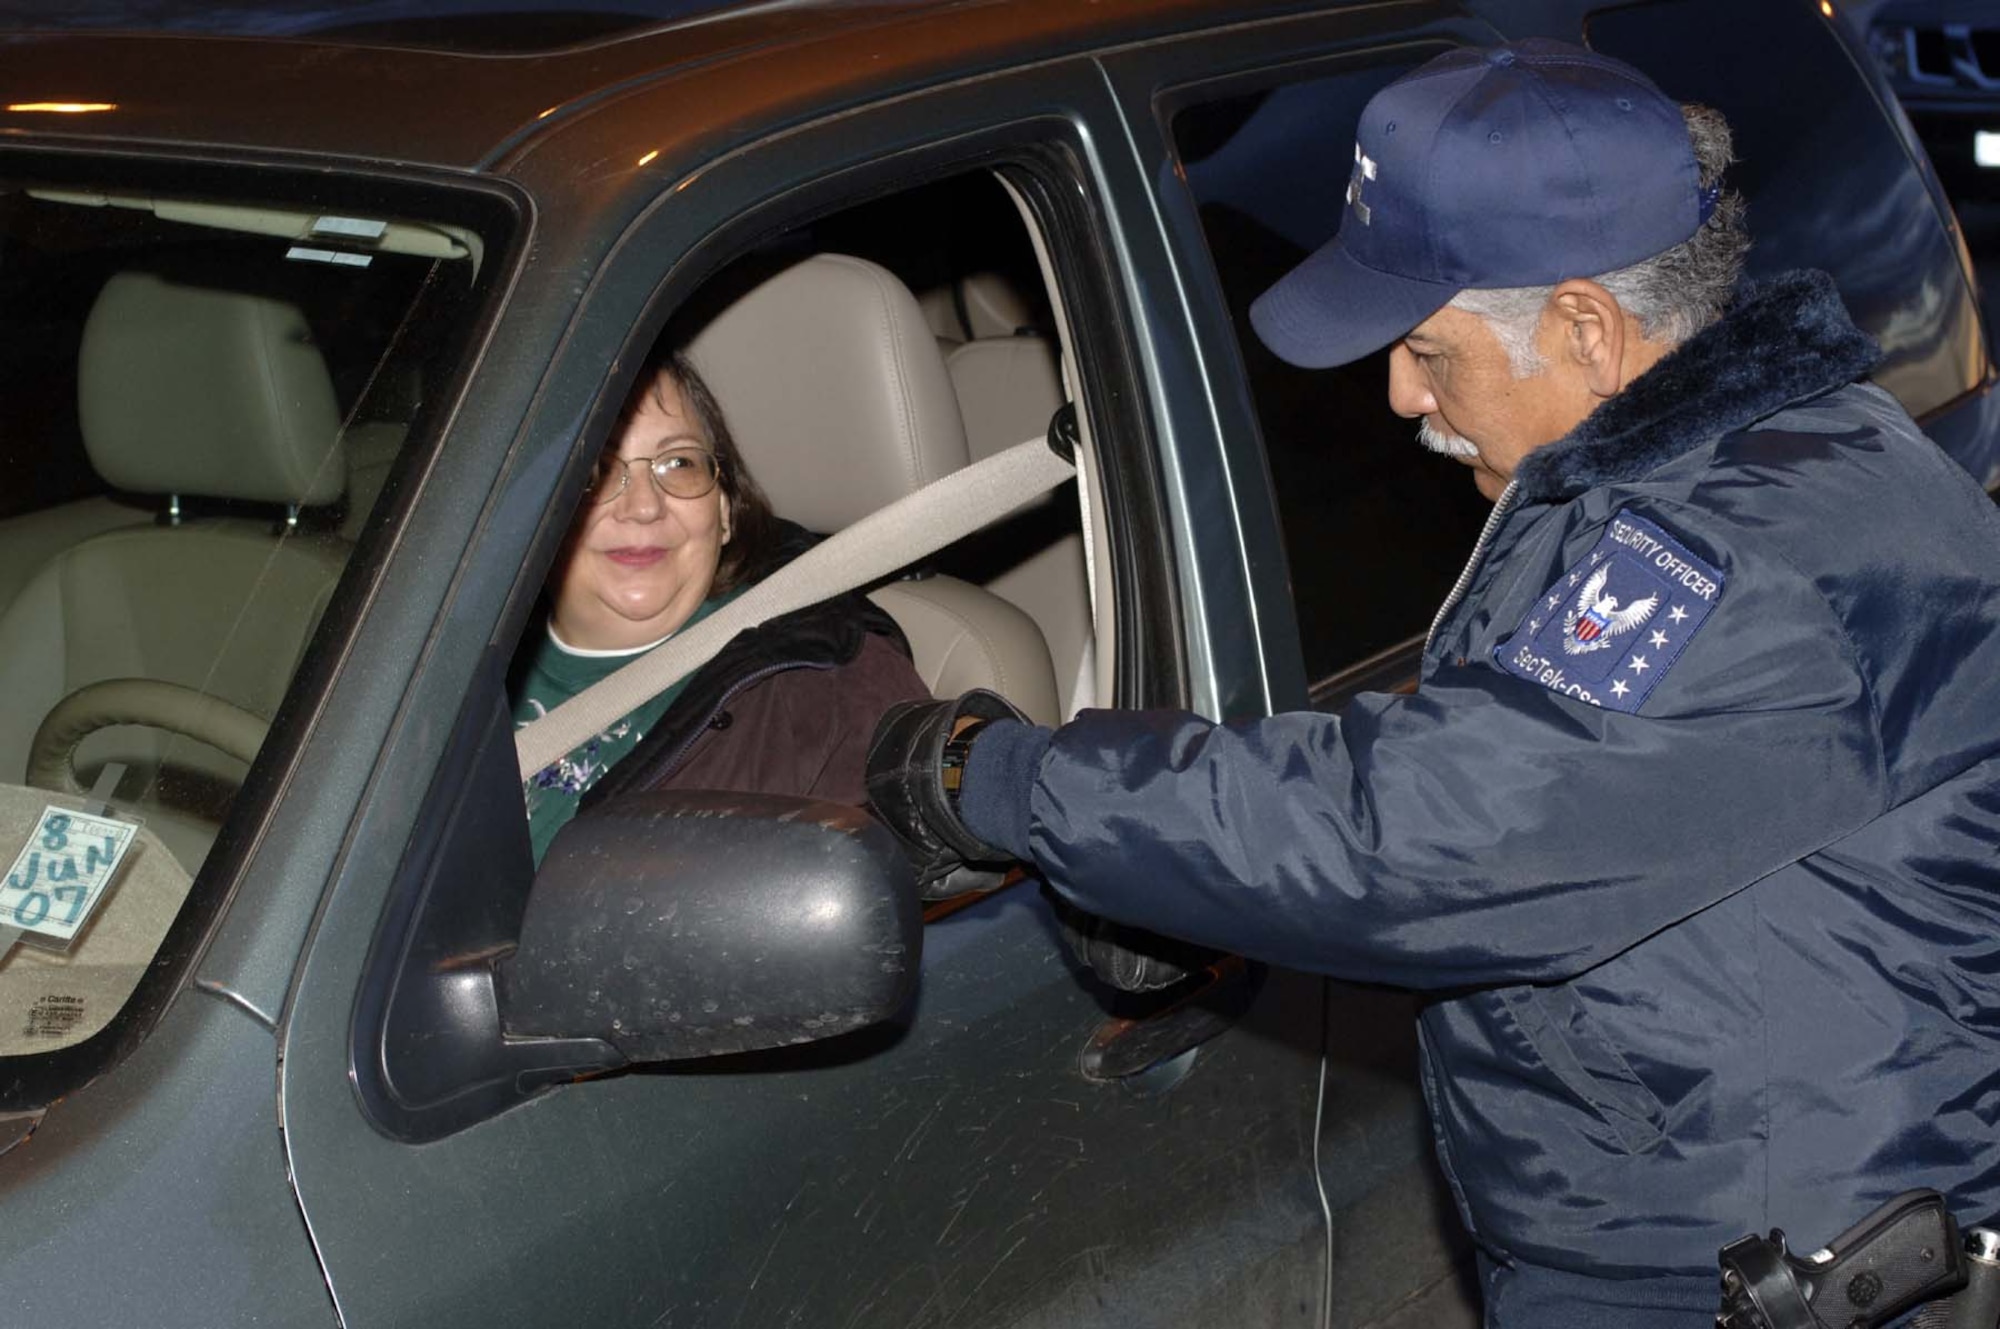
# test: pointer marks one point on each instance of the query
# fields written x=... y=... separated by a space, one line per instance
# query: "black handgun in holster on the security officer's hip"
x=1907 y=1254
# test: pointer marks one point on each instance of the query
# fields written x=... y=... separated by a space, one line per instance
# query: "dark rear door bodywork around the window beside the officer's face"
x=1369 y=1068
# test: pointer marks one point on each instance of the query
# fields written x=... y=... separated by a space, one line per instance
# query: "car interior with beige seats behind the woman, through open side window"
x=855 y=373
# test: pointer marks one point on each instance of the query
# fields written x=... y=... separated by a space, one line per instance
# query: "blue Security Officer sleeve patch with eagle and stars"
x=1613 y=625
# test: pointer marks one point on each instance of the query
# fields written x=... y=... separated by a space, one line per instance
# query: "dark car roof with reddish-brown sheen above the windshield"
x=353 y=95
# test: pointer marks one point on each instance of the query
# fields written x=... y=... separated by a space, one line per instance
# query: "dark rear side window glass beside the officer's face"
x=1375 y=527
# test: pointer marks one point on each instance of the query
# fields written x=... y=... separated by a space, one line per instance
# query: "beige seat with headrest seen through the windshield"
x=185 y=391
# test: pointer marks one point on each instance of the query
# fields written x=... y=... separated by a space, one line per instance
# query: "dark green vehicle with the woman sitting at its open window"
x=311 y=345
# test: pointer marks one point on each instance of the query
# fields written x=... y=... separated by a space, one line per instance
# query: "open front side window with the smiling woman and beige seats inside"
x=827 y=417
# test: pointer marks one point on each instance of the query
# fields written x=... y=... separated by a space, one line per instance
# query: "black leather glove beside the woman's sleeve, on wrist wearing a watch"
x=907 y=792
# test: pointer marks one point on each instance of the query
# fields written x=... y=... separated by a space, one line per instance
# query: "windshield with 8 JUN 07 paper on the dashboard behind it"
x=205 y=399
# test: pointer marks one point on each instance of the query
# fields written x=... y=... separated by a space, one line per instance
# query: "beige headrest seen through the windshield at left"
x=201 y=391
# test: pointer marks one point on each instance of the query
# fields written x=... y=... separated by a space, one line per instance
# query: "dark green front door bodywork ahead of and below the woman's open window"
x=953 y=1168
